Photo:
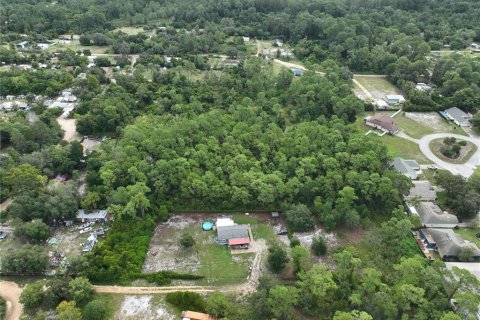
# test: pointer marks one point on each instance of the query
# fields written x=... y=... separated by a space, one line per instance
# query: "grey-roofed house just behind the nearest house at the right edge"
x=432 y=216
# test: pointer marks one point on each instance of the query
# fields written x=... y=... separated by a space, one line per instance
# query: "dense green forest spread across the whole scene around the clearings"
x=190 y=115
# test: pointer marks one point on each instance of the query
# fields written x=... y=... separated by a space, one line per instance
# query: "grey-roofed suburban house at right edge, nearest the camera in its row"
x=448 y=244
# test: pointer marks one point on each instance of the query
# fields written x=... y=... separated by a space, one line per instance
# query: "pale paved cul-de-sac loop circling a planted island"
x=465 y=169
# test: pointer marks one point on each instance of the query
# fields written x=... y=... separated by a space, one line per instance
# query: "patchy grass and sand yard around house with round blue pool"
x=206 y=258
